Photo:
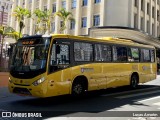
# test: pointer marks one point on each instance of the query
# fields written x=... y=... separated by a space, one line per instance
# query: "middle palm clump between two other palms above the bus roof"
x=45 y=18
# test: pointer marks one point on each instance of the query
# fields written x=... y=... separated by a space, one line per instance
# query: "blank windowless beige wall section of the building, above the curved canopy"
x=117 y=13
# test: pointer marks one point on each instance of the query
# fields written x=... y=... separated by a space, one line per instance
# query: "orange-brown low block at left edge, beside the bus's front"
x=4 y=79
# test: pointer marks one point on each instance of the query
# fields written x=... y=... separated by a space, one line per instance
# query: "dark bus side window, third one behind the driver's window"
x=119 y=54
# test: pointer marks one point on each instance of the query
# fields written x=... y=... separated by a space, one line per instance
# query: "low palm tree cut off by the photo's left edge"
x=7 y=31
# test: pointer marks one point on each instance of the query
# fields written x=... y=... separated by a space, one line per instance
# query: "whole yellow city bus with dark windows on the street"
x=52 y=65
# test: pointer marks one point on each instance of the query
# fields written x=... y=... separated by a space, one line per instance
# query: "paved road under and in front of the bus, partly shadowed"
x=114 y=104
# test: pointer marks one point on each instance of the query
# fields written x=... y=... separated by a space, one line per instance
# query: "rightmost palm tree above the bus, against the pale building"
x=65 y=17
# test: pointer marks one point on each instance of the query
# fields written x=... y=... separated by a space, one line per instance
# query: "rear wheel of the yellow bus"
x=134 y=81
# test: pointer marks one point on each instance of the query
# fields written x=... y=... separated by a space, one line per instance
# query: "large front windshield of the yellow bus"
x=30 y=55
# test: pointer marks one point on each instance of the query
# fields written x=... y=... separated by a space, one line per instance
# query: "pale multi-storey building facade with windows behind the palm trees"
x=143 y=15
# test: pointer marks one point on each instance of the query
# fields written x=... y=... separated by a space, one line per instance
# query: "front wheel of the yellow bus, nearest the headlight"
x=78 y=87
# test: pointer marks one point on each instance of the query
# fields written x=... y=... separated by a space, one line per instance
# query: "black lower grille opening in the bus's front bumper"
x=24 y=91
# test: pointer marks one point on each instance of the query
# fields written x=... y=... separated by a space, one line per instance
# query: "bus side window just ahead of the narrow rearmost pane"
x=145 y=55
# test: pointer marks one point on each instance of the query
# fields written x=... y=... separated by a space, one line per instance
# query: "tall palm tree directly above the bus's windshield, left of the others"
x=21 y=13
